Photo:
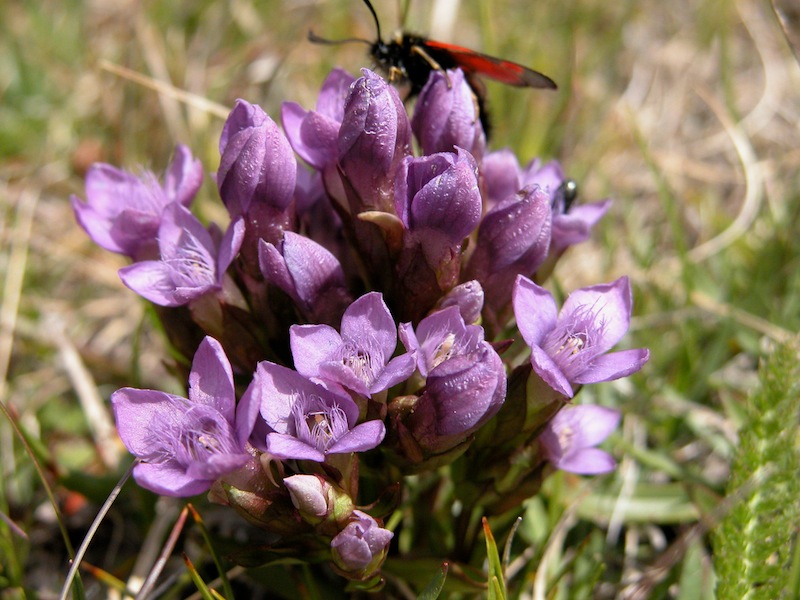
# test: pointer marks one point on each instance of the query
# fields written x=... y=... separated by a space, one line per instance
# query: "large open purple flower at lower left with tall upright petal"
x=184 y=444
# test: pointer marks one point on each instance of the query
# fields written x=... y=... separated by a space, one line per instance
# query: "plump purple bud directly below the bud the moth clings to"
x=439 y=192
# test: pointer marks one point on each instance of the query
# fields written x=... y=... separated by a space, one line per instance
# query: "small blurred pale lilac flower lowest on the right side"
x=568 y=440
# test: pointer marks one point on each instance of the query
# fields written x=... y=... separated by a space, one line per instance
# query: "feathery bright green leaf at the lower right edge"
x=753 y=544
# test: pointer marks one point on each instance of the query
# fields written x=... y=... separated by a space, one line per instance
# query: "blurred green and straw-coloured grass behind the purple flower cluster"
x=685 y=112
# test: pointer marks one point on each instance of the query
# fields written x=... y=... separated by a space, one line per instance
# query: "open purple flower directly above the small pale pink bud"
x=306 y=420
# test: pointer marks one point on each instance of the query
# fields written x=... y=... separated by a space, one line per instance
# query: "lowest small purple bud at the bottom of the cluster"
x=360 y=548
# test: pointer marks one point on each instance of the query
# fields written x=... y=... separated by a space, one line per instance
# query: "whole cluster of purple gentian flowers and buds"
x=296 y=310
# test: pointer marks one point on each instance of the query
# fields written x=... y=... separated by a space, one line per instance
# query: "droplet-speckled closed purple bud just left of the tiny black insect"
x=513 y=239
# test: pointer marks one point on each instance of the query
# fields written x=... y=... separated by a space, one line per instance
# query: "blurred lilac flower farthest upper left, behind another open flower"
x=122 y=212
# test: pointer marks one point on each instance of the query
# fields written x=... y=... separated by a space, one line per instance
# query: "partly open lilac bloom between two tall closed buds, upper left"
x=314 y=134
